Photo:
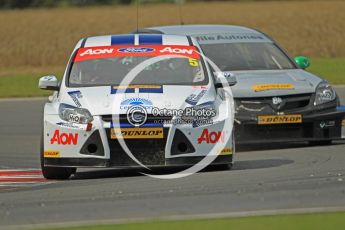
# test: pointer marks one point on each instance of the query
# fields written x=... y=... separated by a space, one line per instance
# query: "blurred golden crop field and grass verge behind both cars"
x=37 y=36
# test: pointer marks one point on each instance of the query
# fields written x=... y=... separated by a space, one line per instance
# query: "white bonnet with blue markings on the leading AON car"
x=105 y=100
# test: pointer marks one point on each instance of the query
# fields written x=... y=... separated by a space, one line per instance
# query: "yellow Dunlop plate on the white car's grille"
x=137 y=133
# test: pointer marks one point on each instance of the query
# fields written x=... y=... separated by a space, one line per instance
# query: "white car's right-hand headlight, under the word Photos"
x=200 y=112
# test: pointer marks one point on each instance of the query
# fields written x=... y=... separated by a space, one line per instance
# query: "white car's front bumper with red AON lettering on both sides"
x=67 y=145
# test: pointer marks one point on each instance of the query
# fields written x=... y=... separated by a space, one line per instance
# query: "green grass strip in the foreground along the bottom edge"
x=321 y=221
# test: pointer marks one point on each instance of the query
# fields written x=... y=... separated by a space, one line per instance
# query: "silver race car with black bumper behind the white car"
x=276 y=99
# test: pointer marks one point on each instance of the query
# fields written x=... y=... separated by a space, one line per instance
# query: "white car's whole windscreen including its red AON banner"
x=99 y=66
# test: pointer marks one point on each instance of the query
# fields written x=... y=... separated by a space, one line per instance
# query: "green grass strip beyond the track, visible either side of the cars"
x=23 y=82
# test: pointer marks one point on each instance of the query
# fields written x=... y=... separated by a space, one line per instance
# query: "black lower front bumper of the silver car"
x=317 y=126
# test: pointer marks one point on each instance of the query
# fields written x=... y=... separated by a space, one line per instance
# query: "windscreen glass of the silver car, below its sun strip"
x=247 y=56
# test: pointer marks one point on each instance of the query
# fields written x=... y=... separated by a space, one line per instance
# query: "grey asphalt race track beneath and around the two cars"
x=271 y=177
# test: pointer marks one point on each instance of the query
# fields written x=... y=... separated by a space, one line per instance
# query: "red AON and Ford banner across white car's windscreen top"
x=91 y=53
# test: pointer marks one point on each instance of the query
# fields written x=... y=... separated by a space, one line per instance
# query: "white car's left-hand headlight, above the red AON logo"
x=73 y=114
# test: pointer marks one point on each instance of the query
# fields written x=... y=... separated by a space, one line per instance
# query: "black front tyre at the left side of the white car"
x=54 y=173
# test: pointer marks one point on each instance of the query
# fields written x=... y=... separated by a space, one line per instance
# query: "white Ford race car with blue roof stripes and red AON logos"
x=173 y=111
